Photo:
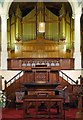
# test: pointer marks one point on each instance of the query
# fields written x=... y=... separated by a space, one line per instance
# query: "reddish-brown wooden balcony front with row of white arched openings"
x=28 y=63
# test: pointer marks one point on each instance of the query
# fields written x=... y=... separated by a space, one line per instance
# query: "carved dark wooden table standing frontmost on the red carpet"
x=48 y=101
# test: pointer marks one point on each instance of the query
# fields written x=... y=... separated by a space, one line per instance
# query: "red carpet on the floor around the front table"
x=13 y=114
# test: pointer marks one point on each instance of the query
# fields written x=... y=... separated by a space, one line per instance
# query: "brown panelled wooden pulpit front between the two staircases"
x=41 y=75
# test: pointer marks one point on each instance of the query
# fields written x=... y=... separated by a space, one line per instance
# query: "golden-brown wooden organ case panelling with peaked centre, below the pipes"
x=40 y=48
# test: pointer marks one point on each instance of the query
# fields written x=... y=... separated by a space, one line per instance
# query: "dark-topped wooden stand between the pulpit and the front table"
x=40 y=88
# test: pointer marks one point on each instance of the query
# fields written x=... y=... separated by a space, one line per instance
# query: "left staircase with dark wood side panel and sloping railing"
x=13 y=85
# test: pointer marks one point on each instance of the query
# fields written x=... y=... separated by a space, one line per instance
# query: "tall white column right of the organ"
x=77 y=53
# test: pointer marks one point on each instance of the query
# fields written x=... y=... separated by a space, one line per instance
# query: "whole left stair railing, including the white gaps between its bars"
x=12 y=80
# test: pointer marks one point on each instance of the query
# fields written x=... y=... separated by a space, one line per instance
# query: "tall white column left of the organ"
x=4 y=53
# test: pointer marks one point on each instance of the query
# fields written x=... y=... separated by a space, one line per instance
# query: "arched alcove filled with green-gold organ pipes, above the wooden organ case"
x=57 y=18
